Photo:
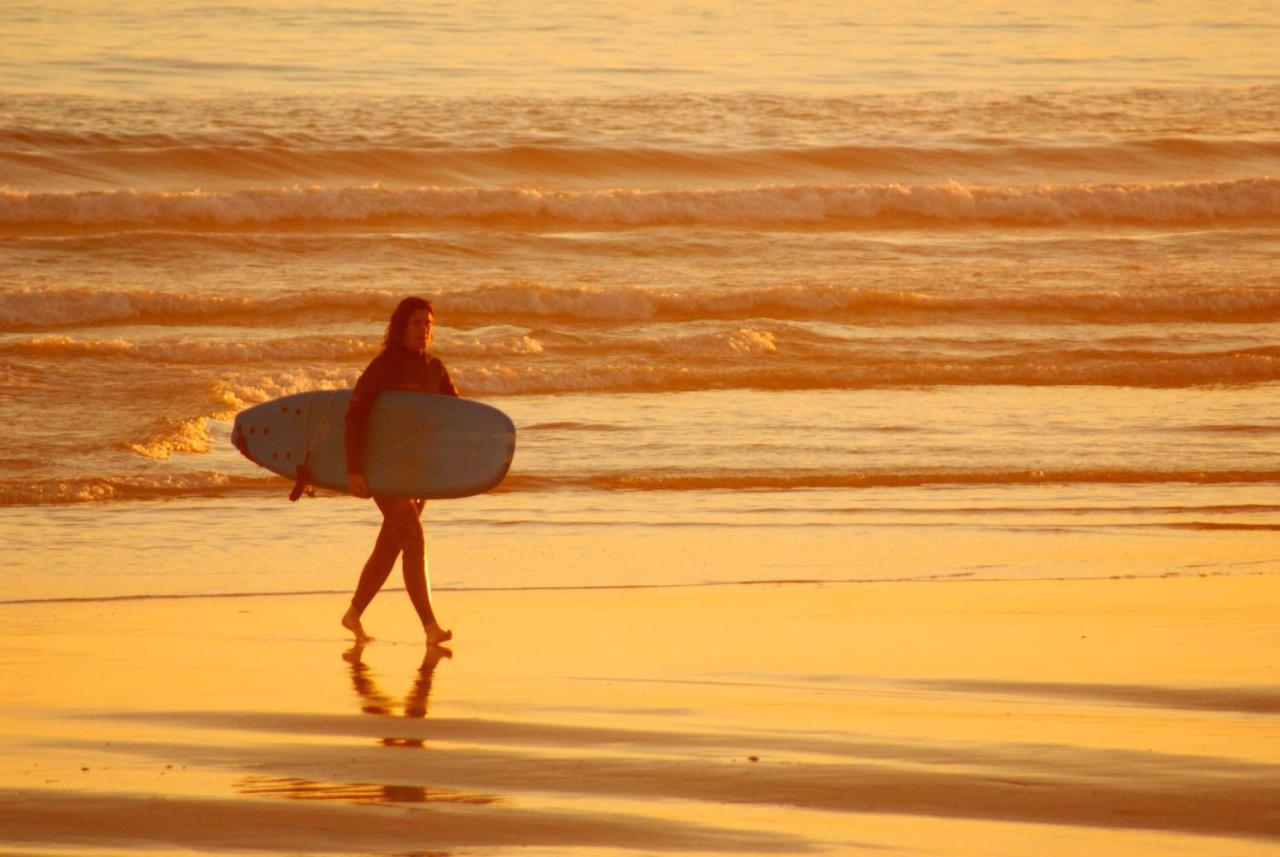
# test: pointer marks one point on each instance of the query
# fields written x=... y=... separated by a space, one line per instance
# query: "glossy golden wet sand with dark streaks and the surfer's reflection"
x=1128 y=717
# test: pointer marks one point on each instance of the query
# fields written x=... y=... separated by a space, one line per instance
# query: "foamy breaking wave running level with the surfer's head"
x=38 y=309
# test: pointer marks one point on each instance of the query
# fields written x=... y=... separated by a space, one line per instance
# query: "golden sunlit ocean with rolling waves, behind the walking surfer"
x=764 y=286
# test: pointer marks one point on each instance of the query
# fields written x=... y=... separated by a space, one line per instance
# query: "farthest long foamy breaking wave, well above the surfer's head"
x=1256 y=200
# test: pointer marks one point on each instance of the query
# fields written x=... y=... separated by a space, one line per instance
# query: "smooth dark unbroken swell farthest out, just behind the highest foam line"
x=141 y=158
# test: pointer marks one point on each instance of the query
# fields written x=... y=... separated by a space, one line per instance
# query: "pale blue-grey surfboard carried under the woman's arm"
x=418 y=444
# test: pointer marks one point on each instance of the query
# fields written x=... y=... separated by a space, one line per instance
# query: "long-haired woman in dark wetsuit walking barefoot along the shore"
x=403 y=365
